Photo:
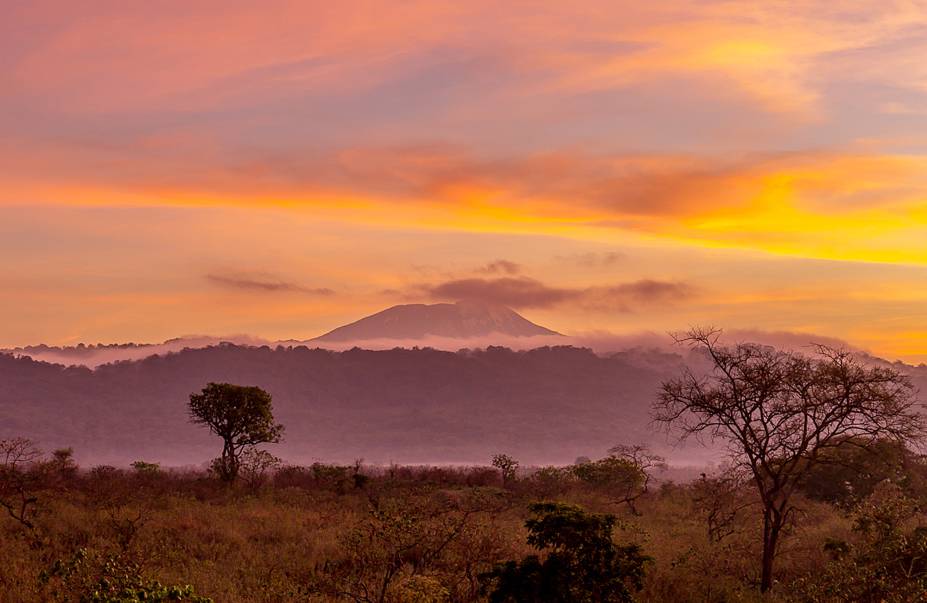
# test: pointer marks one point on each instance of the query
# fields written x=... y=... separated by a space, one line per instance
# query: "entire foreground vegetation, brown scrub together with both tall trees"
x=821 y=501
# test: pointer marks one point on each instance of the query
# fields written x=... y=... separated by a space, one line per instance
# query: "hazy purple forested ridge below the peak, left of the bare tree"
x=419 y=405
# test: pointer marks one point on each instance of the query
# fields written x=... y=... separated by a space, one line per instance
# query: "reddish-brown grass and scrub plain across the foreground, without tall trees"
x=411 y=534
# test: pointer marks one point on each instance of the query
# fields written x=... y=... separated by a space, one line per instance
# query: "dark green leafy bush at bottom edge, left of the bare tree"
x=582 y=565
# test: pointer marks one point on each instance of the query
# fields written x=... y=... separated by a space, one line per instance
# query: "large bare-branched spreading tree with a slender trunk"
x=780 y=412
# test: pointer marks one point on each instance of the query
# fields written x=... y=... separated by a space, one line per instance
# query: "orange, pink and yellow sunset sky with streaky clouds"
x=280 y=168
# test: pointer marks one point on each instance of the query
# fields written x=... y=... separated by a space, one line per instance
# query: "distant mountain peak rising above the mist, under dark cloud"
x=463 y=319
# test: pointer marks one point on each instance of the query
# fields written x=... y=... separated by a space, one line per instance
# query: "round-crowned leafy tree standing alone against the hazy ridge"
x=242 y=416
